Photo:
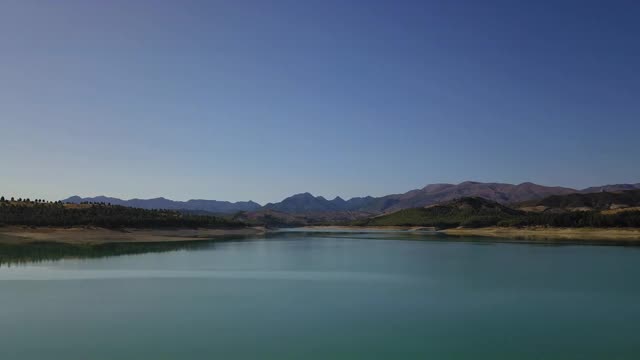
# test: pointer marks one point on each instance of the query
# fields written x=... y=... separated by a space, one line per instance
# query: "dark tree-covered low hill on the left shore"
x=41 y=213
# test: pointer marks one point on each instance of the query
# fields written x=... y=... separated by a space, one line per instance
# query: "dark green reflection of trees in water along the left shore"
x=35 y=252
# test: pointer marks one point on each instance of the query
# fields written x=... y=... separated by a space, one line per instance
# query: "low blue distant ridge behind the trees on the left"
x=213 y=206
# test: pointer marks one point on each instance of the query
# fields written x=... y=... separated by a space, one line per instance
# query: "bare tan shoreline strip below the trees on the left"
x=94 y=235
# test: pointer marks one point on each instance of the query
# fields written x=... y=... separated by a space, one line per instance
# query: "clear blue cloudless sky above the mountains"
x=257 y=100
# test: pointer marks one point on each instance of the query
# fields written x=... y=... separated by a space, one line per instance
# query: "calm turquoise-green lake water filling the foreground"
x=324 y=296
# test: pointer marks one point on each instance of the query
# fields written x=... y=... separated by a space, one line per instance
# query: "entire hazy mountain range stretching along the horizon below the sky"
x=307 y=203
